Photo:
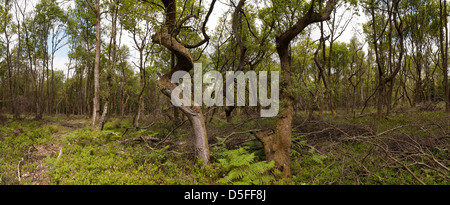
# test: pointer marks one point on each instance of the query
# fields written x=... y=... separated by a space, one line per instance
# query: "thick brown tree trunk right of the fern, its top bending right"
x=277 y=145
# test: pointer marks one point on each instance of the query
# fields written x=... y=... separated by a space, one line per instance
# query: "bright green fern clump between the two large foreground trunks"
x=241 y=169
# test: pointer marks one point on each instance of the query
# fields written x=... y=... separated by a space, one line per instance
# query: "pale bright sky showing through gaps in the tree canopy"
x=61 y=59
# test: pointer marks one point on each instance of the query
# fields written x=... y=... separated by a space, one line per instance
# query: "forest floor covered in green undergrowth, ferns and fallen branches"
x=406 y=148
